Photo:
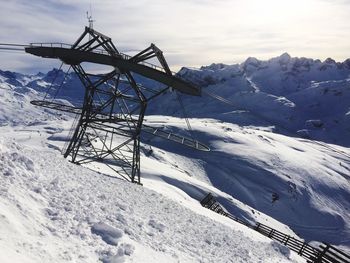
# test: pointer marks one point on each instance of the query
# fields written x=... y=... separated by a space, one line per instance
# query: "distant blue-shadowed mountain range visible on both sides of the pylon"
x=297 y=96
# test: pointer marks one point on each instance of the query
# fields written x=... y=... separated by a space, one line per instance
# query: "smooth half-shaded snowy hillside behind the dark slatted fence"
x=311 y=179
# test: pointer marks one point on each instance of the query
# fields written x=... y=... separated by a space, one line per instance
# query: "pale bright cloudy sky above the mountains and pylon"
x=190 y=32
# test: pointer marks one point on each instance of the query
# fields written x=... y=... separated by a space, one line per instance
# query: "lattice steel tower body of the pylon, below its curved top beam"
x=110 y=124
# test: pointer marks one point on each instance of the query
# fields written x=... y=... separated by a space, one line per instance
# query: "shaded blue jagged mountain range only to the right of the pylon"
x=285 y=91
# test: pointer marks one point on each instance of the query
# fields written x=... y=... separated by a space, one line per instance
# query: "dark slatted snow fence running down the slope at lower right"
x=326 y=253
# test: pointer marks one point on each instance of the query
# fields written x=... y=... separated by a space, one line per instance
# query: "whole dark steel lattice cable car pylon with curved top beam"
x=111 y=117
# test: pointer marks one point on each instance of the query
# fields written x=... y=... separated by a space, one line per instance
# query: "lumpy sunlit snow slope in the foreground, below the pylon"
x=54 y=211
